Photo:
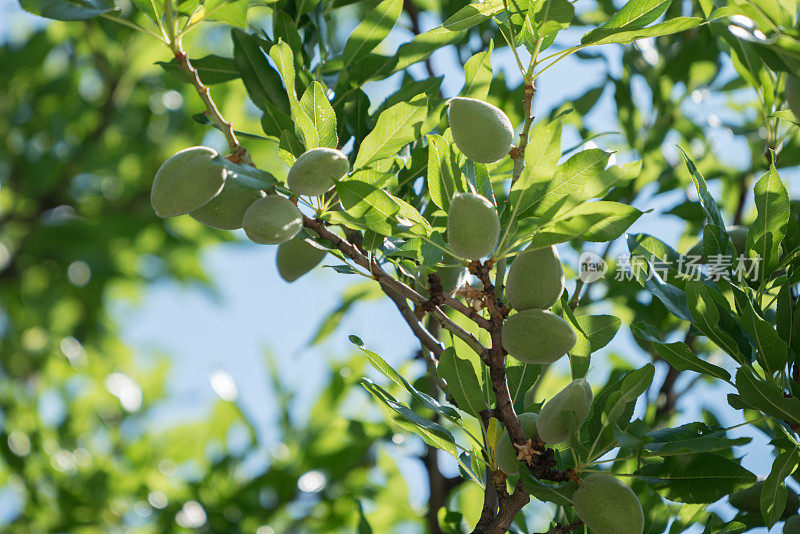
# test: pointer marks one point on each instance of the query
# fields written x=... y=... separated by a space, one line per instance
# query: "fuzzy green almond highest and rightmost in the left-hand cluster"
x=316 y=171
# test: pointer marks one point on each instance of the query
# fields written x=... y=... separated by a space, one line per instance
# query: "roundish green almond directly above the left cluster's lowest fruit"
x=272 y=220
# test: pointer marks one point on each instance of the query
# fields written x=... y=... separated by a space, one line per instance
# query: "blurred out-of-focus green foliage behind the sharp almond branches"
x=88 y=119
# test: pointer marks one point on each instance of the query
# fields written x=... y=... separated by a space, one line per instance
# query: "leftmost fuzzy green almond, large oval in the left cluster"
x=186 y=181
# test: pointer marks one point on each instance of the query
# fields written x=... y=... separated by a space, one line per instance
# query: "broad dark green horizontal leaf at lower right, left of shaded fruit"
x=696 y=478
